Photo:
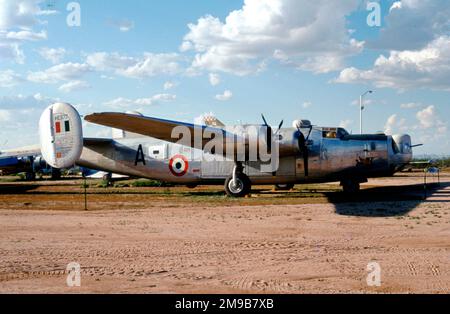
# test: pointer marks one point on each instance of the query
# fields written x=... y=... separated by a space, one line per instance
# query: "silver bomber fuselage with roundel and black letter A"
x=331 y=158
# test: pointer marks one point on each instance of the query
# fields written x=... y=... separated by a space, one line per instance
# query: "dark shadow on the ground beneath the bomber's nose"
x=391 y=201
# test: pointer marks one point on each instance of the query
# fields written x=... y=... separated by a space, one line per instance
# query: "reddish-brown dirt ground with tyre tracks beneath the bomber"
x=313 y=239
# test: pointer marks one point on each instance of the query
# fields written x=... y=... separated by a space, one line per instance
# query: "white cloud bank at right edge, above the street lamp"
x=428 y=67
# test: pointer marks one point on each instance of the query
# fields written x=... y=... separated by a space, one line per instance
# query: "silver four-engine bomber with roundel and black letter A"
x=237 y=156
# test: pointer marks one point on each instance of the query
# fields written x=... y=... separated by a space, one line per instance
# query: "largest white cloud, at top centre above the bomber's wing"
x=293 y=31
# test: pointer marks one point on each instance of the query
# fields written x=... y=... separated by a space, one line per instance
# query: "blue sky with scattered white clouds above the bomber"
x=179 y=59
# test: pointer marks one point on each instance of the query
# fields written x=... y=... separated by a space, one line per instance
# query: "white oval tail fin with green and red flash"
x=61 y=135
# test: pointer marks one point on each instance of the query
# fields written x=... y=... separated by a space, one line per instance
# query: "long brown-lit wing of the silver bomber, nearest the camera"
x=156 y=128
